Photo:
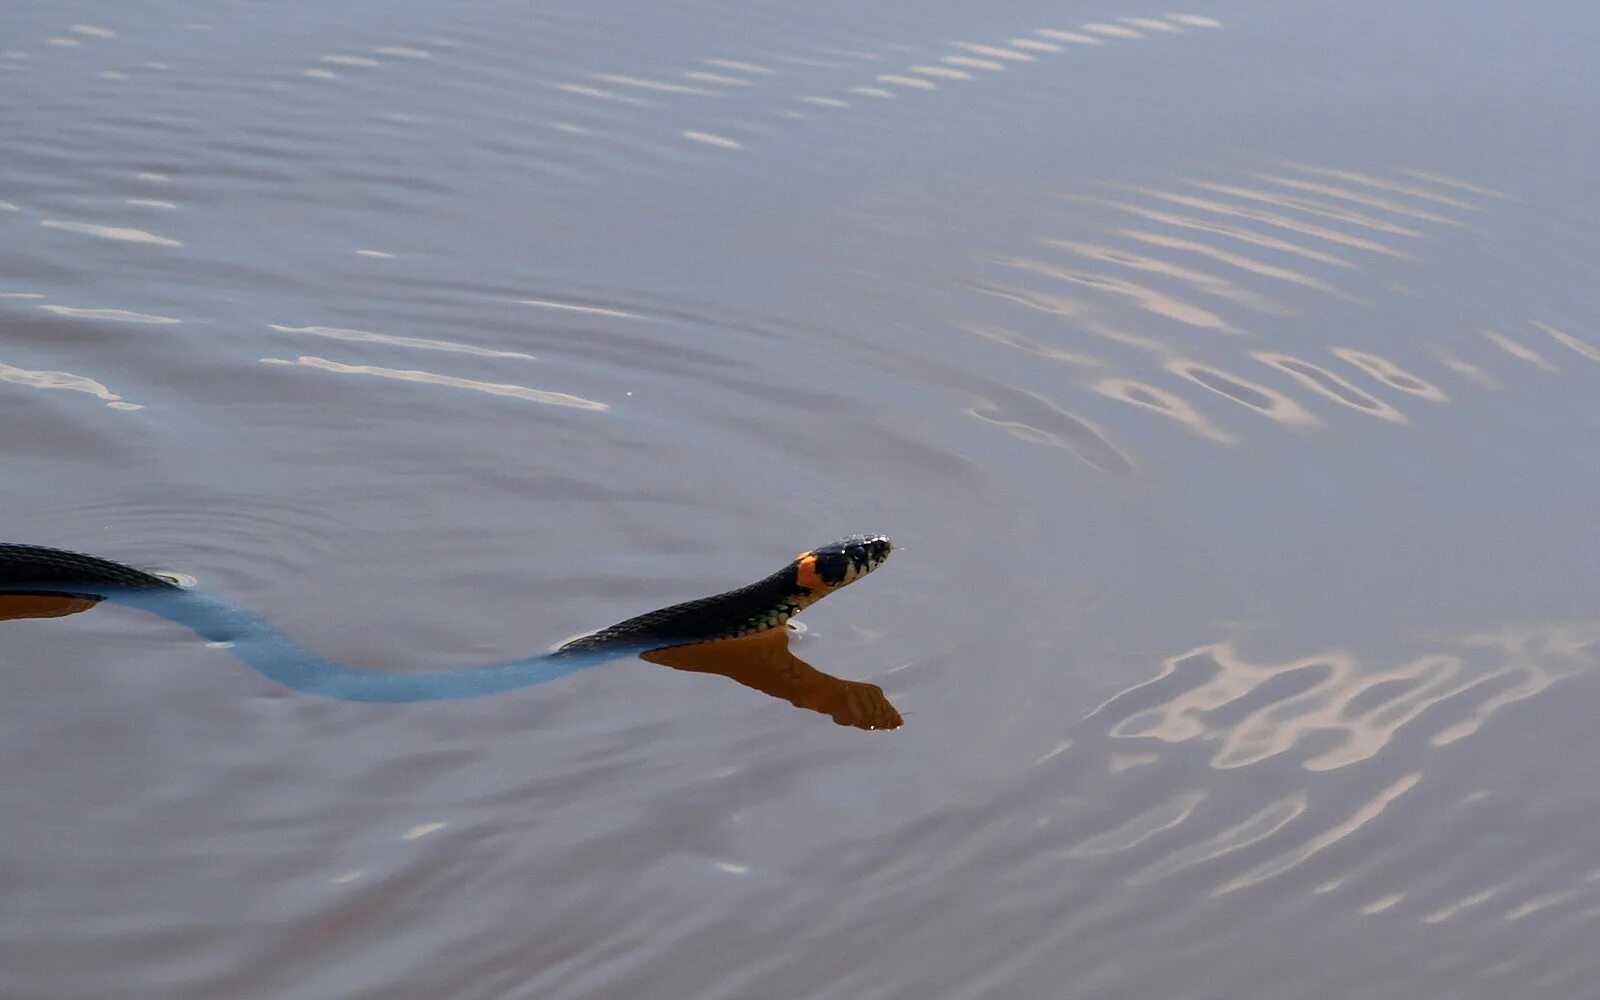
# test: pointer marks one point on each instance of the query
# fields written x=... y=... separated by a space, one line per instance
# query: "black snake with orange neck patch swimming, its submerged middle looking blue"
x=762 y=607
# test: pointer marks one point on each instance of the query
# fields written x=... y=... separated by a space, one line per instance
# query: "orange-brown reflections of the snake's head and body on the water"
x=762 y=662
